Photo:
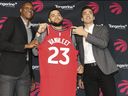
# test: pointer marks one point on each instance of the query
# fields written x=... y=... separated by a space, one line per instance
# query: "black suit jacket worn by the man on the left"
x=13 y=38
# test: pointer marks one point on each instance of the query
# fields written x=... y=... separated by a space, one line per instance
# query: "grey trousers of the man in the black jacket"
x=15 y=86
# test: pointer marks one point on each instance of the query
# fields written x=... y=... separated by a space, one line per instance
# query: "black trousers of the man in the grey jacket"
x=94 y=79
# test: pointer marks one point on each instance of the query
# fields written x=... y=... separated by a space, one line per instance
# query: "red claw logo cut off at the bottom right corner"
x=123 y=86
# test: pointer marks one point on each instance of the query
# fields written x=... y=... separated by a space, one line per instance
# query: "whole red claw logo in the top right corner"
x=115 y=8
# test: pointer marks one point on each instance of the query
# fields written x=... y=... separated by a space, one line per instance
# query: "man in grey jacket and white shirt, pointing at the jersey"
x=99 y=66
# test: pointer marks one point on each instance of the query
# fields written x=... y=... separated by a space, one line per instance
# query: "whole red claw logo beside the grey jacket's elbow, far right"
x=120 y=45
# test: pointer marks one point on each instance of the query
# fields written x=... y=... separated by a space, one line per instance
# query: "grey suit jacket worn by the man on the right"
x=99 y=40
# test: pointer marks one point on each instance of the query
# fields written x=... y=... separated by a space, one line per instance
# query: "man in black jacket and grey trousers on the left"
x=15 y=45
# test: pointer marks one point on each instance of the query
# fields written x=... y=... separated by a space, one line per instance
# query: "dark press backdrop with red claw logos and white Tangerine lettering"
x=113 y=14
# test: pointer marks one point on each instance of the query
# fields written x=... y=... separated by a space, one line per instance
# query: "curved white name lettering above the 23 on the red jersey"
x=59 y=40
